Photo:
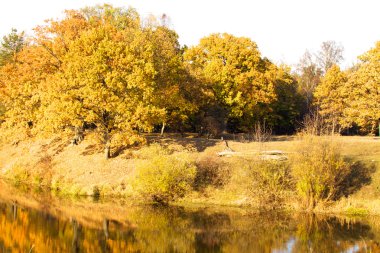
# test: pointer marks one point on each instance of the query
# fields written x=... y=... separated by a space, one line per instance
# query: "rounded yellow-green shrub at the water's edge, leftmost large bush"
x=165 y=178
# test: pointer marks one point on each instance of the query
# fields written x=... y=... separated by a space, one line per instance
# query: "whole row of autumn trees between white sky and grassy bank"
x=106 y=69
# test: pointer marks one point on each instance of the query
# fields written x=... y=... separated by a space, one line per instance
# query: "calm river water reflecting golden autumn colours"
x=51 y=225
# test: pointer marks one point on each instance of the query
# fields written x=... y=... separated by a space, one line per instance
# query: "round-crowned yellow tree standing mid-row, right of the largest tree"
x=234 y=76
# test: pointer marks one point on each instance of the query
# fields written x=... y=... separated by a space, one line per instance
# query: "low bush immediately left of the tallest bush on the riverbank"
x=271 y=182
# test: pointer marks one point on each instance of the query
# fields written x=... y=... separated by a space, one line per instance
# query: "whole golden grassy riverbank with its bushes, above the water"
x=188 y=171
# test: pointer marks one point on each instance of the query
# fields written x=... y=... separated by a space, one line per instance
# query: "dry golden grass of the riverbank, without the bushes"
x=113 y=178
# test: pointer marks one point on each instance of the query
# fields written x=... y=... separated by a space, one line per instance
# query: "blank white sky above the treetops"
x=282 y=29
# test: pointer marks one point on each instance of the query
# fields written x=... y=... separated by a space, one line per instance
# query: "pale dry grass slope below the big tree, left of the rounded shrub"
x=69 y=167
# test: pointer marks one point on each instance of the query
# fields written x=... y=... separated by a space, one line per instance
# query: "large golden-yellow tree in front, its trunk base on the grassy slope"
x=106 y=79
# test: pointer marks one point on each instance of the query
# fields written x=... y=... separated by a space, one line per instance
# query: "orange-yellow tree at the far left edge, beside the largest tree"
x=23 y=83
